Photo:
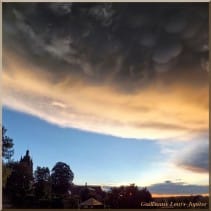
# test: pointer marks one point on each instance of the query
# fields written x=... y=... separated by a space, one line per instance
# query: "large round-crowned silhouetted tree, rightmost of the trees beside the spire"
x=61 y=177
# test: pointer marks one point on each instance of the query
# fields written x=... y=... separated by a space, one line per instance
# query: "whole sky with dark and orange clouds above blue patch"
x=118 y=91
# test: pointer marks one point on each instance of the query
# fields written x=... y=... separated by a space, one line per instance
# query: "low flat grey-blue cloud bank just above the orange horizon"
x=169 y=187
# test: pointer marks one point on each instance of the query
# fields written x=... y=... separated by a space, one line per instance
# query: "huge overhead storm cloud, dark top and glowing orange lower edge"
x=129 y=70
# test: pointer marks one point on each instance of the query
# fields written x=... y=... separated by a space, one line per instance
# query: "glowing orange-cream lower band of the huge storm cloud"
x=158 y=111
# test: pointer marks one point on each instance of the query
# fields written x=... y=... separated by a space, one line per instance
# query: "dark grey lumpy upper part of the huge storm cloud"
x=126 y=44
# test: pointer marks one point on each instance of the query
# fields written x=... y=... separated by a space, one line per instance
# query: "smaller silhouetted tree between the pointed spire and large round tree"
x=42 y=185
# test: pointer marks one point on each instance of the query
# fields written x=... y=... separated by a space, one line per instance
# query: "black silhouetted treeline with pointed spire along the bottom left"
x=23 y=188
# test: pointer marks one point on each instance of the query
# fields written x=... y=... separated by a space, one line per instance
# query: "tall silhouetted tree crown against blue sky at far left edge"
x=7 y=145
